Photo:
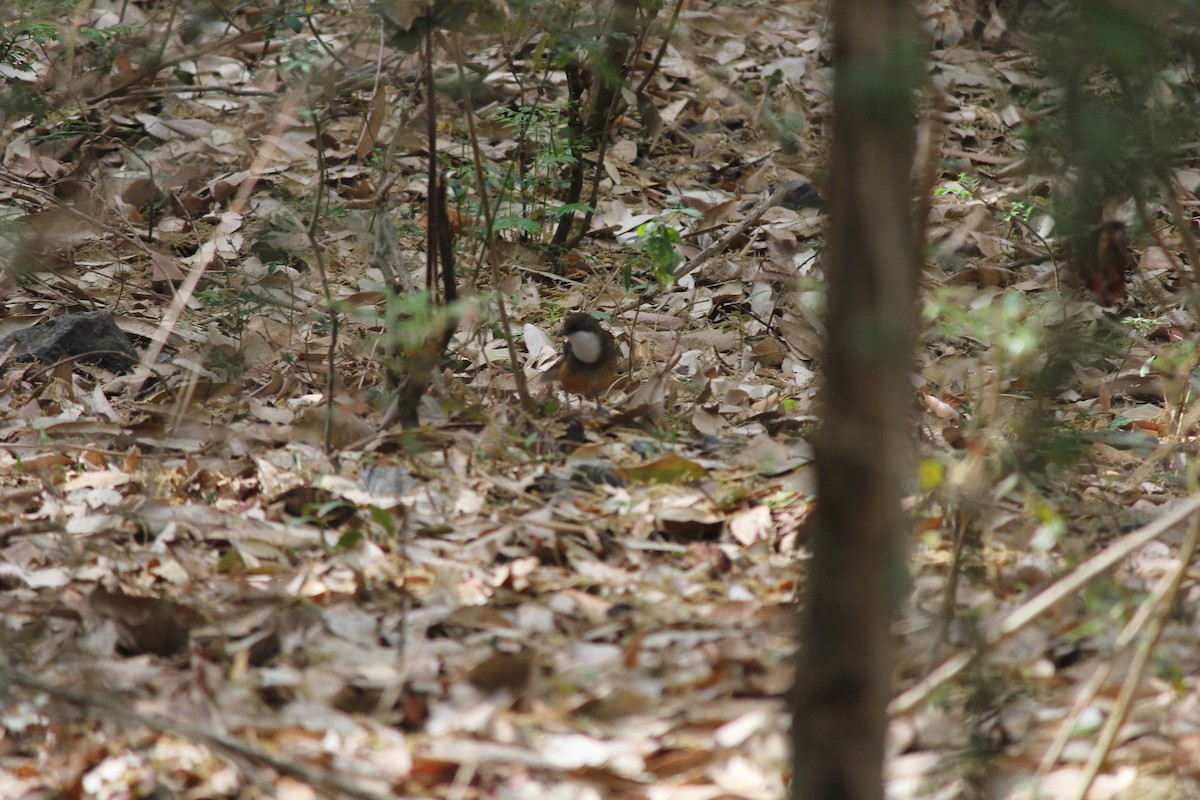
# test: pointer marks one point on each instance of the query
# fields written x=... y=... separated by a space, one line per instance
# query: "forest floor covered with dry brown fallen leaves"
x=203 y=600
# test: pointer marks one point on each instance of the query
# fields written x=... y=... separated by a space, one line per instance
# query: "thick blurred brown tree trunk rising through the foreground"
x=863 y=447
